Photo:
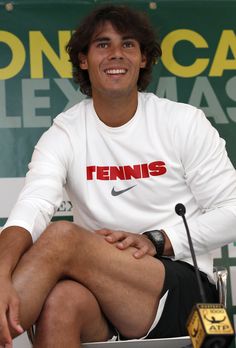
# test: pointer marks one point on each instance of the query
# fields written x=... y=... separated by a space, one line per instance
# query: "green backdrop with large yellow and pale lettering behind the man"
x=198 y=67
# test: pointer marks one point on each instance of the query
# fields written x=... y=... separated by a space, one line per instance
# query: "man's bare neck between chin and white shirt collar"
x=115 y=112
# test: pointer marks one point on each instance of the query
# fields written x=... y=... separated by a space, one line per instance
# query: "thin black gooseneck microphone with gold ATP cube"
x=208 y=324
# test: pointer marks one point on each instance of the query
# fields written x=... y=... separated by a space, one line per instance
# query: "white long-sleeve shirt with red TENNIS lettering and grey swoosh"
x=166 y=154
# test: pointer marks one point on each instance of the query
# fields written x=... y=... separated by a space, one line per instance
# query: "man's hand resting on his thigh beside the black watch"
x=124 y=240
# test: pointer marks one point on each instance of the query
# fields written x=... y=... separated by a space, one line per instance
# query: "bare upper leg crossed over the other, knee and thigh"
x=127 y=289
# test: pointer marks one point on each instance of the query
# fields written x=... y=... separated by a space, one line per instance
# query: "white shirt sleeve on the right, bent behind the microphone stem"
x=211 y=177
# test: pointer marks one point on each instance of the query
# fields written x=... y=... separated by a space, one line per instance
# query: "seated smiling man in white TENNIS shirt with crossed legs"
x=126 y=159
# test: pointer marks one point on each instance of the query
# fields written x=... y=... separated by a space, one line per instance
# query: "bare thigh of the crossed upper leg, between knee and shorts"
x=127 y=289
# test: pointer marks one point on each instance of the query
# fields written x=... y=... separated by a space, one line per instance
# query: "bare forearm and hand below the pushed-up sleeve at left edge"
x=14 y=241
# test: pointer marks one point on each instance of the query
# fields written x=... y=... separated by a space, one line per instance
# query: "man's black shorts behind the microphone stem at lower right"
x=183 y=294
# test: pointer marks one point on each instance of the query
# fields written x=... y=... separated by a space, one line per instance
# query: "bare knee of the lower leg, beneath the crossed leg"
x=70 y=315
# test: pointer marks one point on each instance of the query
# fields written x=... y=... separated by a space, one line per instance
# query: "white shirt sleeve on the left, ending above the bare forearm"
x=43 y=190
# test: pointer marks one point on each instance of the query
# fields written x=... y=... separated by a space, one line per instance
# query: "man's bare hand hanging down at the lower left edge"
x=9 y=312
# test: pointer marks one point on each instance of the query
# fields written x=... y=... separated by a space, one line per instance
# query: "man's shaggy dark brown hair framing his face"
x=124 y=20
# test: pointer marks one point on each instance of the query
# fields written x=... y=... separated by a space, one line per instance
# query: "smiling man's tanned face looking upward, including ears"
x=113 y=62
